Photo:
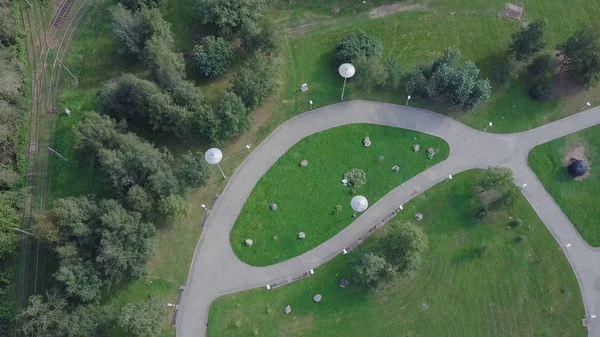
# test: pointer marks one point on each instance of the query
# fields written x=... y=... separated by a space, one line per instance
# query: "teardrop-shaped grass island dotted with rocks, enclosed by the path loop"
x=307 y=196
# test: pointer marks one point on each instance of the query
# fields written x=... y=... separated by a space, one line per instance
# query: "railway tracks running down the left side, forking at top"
x=45 y=81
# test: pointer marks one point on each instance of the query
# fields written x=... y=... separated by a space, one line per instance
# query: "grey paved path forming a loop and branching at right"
x=216 y=271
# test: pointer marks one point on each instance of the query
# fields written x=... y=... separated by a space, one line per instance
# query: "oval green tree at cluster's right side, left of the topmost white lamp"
x=255 y=81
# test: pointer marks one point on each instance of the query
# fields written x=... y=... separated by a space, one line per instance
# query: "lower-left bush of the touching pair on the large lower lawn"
x=372 y=270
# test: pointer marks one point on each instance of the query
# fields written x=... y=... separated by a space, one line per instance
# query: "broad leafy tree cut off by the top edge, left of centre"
x=228 y=15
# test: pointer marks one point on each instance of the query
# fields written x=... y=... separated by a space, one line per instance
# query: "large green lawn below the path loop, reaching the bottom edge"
x=518 y=289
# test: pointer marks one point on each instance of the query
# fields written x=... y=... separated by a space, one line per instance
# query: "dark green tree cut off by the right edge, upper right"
x=581 y=57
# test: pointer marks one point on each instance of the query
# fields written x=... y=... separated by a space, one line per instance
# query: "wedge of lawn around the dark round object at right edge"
x=577 y=198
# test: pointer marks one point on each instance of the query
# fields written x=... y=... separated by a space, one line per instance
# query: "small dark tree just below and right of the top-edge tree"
x=260 y=37
